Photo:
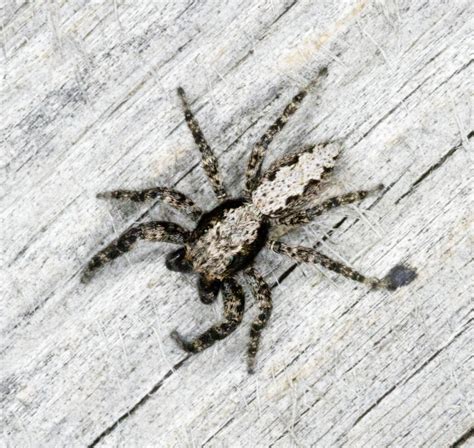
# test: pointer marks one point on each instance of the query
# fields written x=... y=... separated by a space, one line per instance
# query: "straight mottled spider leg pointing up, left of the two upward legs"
x=209 y=160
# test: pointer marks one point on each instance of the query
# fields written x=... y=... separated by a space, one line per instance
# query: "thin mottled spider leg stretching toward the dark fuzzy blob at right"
x=310 y=255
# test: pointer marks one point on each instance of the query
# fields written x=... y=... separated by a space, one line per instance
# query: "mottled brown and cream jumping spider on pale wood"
x=226 y=239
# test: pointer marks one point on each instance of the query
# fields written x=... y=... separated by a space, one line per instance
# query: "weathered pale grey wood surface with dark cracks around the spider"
x=88 y=104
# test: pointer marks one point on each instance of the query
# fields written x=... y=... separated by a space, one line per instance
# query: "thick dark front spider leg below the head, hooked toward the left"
x=234 y=301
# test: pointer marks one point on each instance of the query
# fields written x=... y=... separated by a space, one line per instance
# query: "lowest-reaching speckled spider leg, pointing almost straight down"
x=264 y=302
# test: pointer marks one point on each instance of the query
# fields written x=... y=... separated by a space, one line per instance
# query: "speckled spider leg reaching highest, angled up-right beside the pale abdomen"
x=258 y=151
